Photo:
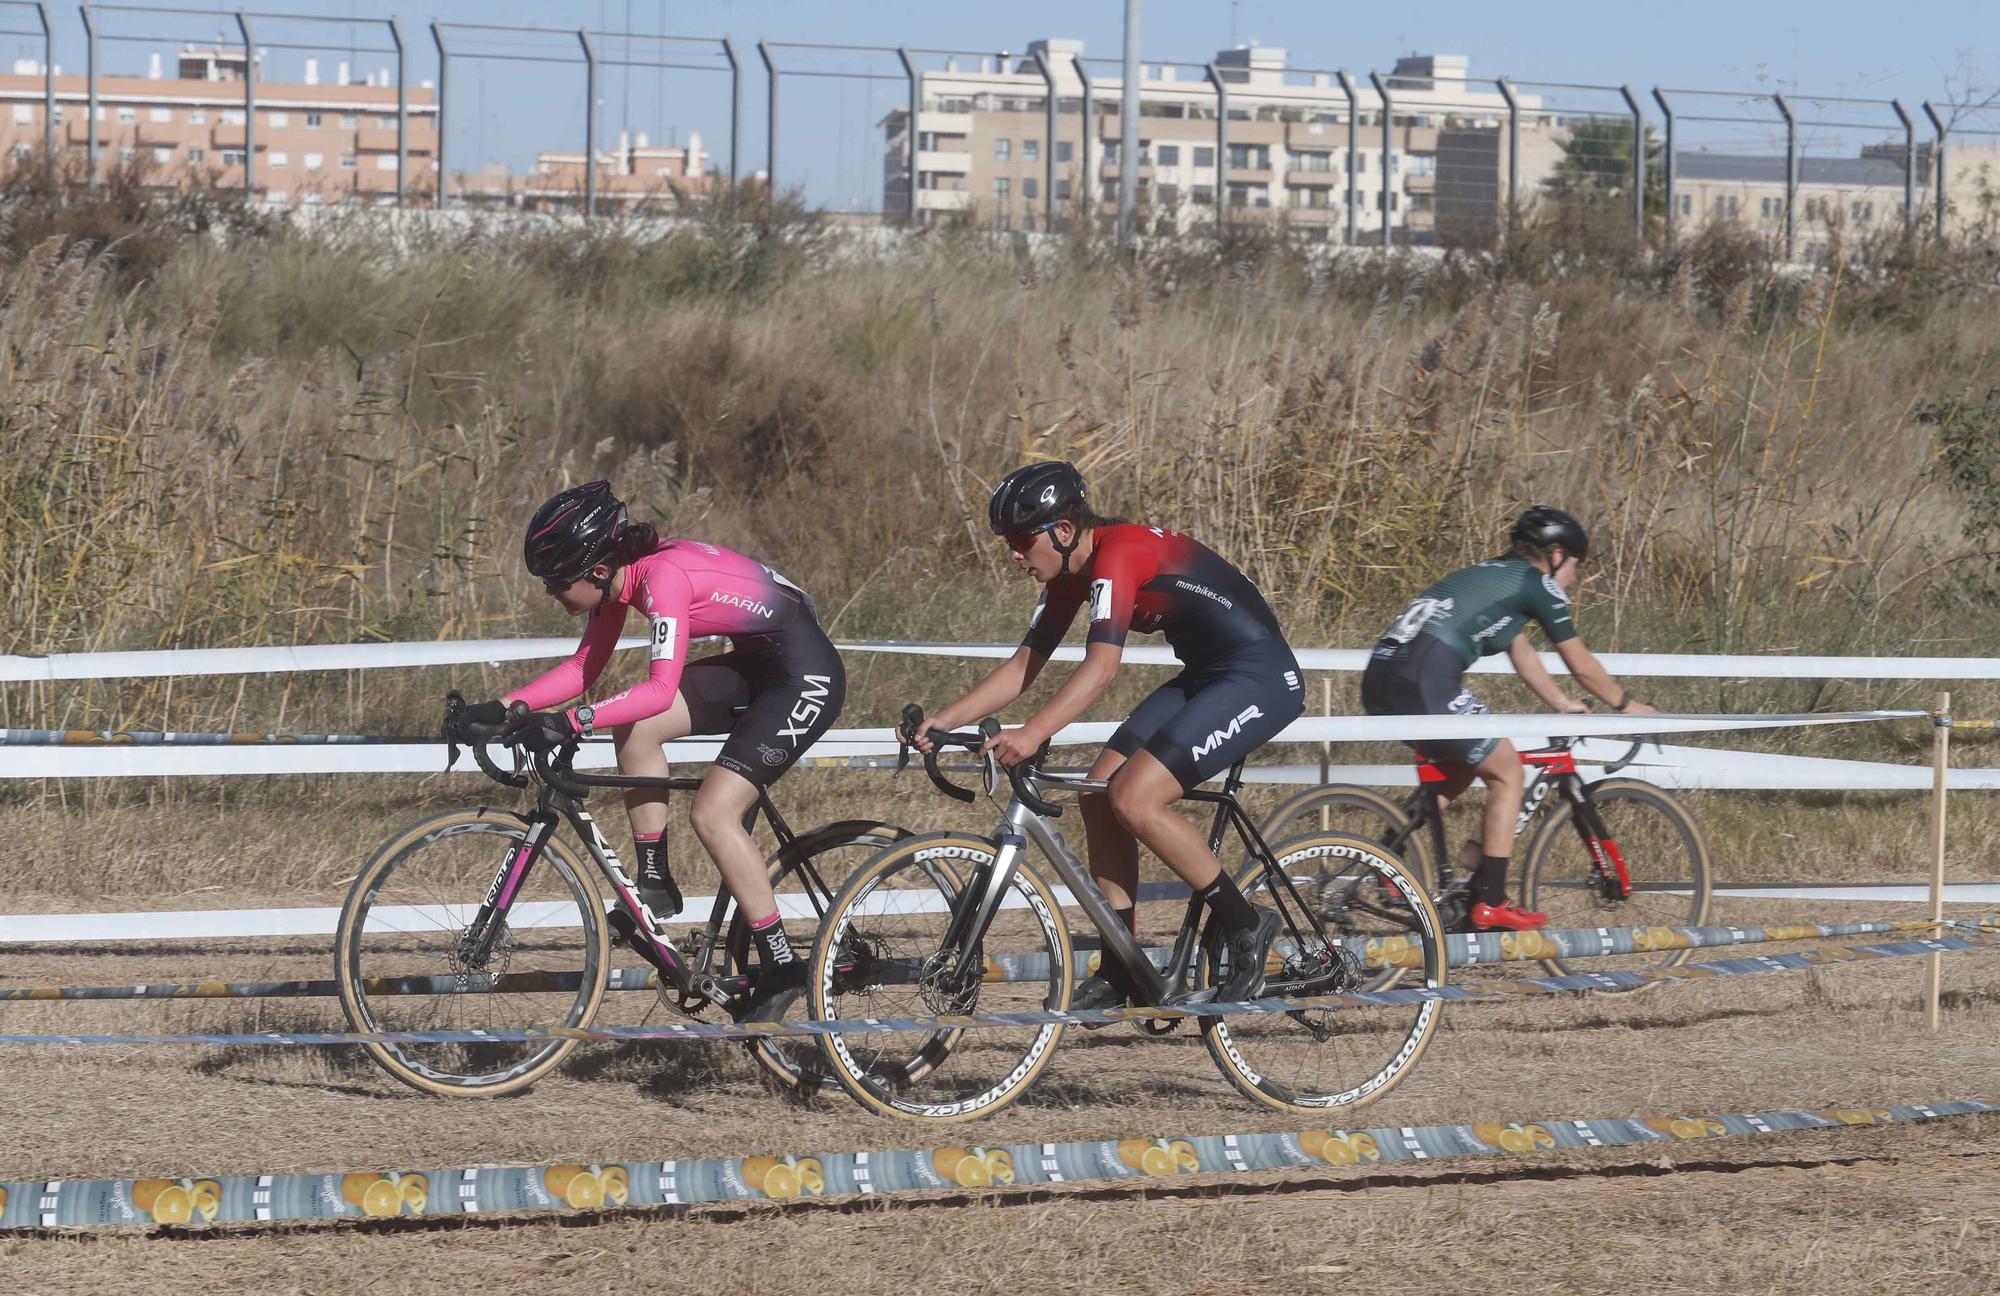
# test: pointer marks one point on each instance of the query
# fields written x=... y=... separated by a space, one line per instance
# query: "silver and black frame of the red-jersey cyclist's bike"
x=1023 y=825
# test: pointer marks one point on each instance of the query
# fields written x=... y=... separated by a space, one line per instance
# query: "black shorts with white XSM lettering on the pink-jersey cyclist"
x=771 y=693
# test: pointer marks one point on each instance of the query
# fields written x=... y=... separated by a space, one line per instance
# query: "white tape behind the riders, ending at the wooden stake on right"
x=429 y=759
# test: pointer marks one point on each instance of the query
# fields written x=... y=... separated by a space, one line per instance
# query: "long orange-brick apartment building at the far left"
x=315 y=141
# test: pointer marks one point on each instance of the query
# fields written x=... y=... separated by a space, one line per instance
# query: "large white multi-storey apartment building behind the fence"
x=981 y=145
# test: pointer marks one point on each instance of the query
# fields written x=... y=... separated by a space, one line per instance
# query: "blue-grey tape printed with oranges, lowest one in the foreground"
x=433 y=1193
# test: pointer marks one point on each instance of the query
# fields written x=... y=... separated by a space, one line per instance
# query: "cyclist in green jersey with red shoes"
x=1419 y=665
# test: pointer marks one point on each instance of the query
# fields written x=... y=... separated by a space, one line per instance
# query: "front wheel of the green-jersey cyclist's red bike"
x=1665 y=857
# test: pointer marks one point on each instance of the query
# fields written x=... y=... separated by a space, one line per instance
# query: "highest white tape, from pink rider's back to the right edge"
x=1649 y=665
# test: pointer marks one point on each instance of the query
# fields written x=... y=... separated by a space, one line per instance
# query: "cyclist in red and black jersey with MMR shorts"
x=1237 y=689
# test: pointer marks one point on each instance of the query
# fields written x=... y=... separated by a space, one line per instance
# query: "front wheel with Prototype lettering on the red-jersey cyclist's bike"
x=879 y=957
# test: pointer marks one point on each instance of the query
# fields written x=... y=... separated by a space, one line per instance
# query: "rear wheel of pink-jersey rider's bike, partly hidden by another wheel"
x=805 y=877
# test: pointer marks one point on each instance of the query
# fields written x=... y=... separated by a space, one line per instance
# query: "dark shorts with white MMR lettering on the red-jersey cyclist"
x=1211 y=717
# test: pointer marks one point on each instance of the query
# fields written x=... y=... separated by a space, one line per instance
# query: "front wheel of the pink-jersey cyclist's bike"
x=401 y=965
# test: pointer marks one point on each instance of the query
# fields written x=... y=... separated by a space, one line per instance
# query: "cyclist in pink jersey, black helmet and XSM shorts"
x=775 y=693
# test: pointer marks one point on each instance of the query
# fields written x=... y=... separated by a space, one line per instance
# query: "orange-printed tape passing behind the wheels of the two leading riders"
x=1463 y=951
